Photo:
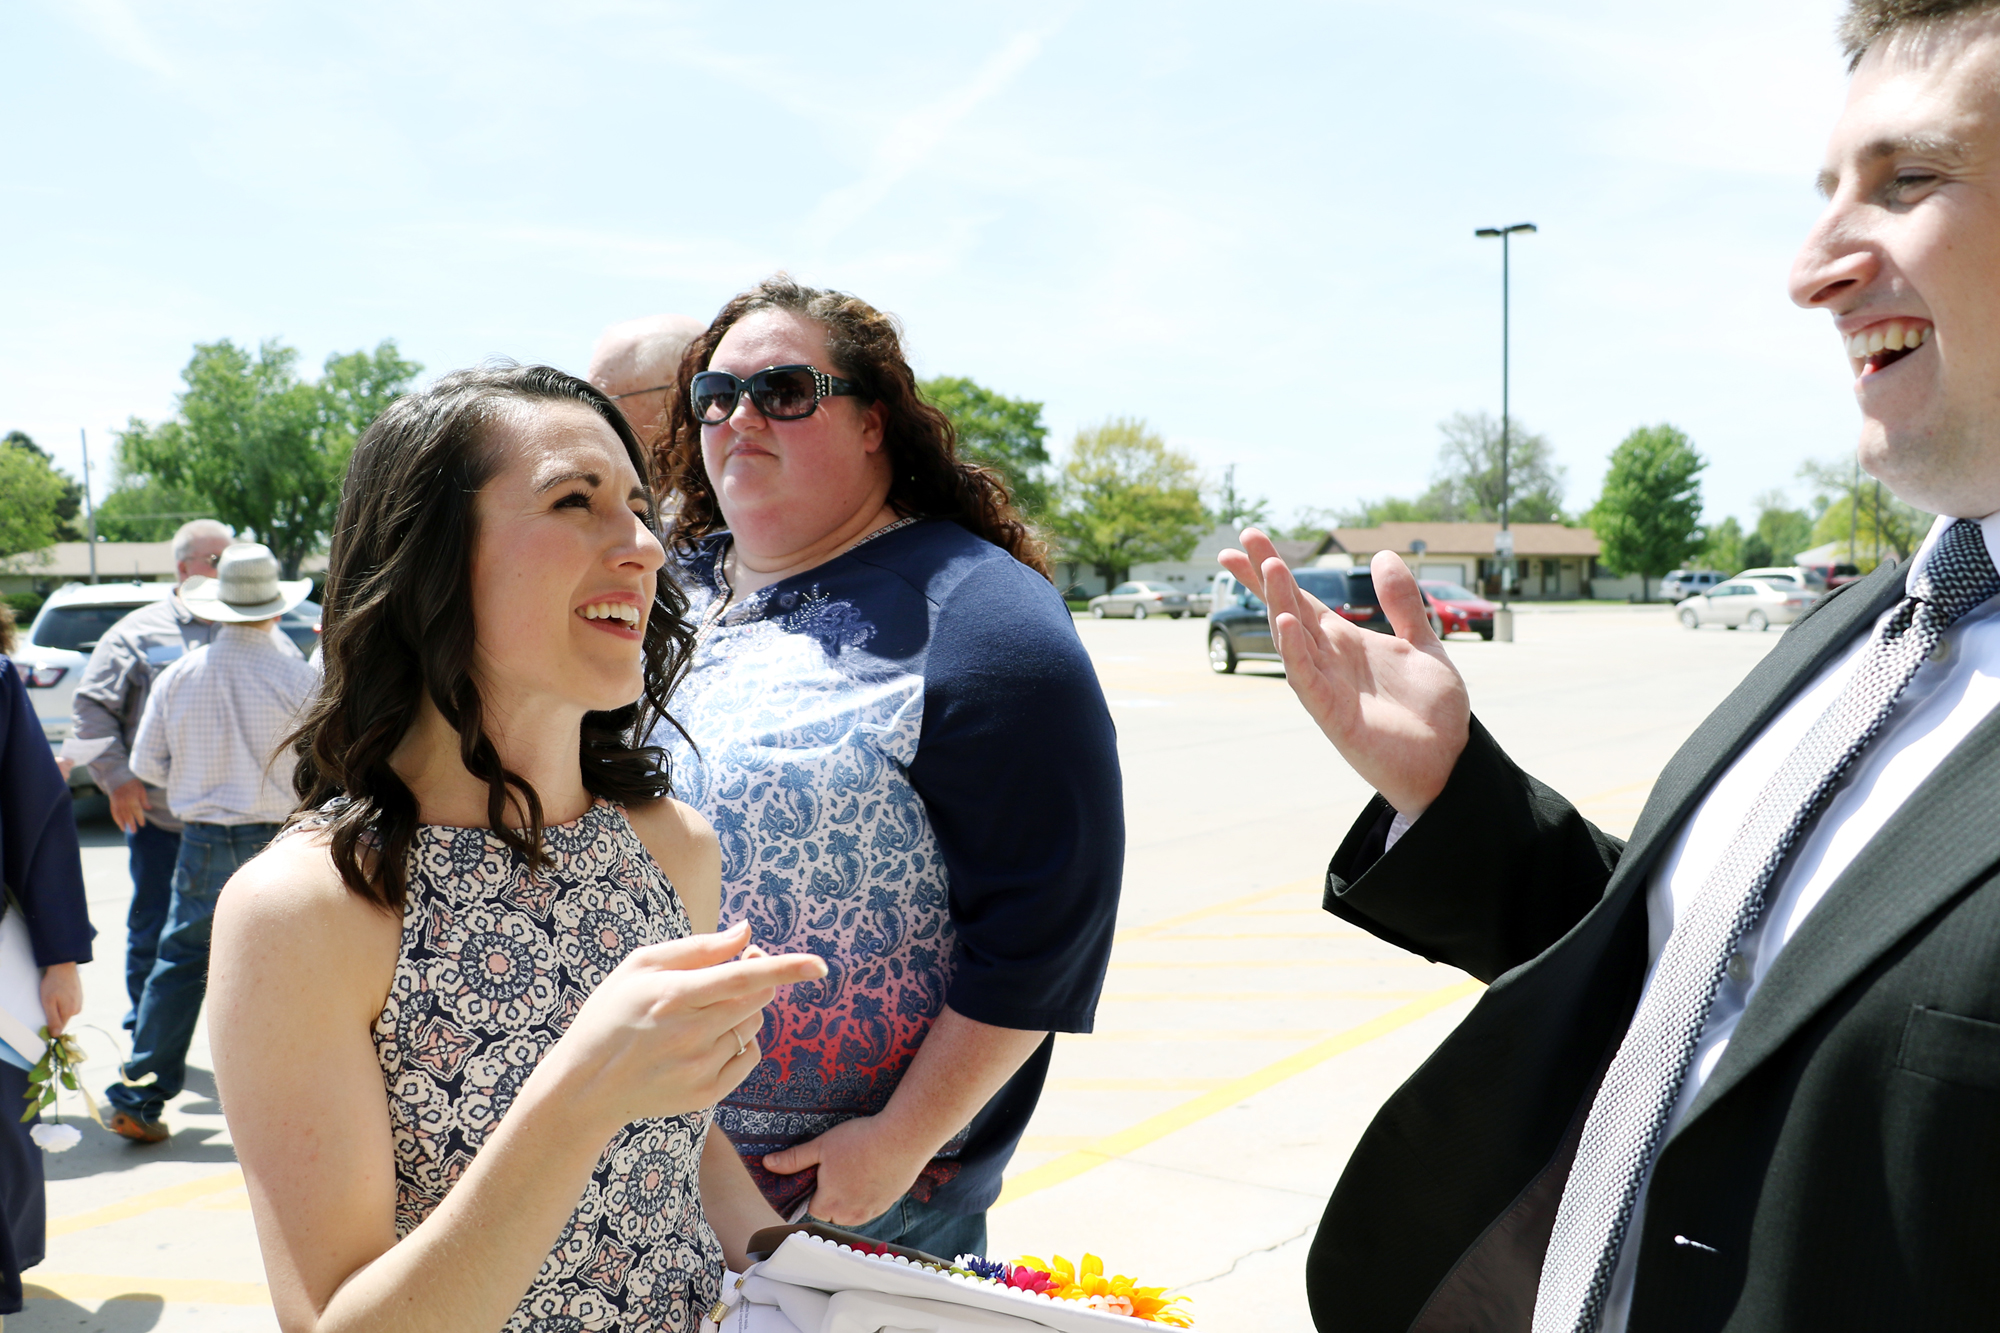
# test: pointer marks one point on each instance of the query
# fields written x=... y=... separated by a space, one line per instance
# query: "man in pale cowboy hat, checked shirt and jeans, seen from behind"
x=211 y=738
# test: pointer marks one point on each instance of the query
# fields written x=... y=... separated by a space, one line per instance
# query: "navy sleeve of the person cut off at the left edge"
x=39 y=856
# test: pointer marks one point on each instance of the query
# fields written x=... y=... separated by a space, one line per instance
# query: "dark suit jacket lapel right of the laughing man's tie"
x=1945 y=838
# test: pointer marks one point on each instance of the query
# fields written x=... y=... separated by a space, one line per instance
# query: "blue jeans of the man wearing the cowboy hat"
x=179 y=982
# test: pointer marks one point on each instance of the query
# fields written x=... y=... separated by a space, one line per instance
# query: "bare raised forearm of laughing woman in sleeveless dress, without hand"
x=467 y=1268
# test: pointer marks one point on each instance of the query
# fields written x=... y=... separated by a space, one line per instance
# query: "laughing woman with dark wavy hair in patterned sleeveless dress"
x=465 y=1030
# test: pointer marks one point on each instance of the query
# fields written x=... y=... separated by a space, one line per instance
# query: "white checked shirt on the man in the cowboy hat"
x=213 y=724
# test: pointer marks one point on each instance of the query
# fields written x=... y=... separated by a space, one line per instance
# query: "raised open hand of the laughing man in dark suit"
x=1393 y=706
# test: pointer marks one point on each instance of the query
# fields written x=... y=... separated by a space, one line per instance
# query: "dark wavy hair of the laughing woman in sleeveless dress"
x=399 y=627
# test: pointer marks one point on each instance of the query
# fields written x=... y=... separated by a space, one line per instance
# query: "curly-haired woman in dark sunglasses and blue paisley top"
x=907 y=758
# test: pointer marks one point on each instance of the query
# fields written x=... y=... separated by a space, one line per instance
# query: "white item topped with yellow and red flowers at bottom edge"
x=823 y=1280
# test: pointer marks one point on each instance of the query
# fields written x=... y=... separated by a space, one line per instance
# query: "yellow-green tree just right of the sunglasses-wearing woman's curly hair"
x=1125 y=497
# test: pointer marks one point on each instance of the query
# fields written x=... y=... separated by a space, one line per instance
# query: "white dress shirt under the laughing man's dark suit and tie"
x=1943 y=704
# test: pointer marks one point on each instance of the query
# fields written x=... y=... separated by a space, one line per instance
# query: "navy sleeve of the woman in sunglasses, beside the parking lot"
x=1019 y=772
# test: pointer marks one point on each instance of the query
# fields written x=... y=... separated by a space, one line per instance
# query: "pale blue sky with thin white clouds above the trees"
x=1249 y=225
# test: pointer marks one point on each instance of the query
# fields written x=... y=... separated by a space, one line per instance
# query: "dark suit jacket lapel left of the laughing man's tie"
x=1751 y=706
